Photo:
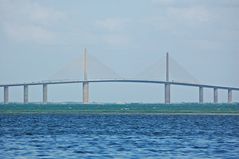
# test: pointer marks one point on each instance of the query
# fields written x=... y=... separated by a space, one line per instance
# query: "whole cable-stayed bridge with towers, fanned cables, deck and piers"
x=93 y=71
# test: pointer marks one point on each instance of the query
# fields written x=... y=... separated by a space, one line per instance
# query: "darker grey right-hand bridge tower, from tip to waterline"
x=167 y=85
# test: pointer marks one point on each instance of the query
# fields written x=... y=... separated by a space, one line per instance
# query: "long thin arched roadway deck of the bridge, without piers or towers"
x=124 y=81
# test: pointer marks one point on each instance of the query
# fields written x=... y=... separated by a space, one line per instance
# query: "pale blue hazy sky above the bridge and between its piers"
x=38 y=38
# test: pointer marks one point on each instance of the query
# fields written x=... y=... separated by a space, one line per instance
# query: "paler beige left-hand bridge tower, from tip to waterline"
x=85 y=83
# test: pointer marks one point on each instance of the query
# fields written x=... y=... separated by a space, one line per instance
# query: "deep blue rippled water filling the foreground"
x=118 y=136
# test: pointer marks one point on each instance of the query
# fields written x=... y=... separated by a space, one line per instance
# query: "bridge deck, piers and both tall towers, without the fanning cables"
x=86 y=83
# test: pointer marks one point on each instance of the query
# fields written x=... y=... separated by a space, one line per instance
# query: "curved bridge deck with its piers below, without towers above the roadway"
x=46 y=83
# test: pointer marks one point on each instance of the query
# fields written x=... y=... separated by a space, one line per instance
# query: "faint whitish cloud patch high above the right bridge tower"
x=175 y=18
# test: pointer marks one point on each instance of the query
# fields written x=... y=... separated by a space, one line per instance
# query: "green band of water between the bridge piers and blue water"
x=122 y=109
